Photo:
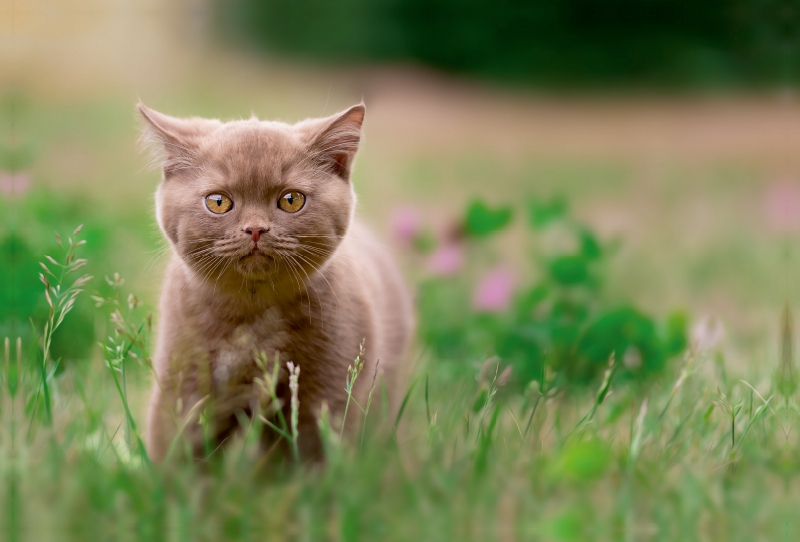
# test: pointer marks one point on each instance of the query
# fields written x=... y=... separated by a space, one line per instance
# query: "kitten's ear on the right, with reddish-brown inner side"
x=337 y=144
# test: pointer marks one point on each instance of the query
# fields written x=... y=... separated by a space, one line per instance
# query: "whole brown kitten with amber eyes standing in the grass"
x=266 y=258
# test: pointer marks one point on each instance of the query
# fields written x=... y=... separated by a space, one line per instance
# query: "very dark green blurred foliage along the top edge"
x=551 y=41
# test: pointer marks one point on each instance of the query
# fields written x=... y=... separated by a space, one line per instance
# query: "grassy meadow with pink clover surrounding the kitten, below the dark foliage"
x=567 y=384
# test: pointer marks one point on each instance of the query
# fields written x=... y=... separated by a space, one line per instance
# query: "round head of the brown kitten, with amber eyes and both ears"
x=253 y=199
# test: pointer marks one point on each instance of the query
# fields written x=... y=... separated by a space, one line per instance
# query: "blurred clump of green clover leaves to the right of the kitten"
x=562 y=320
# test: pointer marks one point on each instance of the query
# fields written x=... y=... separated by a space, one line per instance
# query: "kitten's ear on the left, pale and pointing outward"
x=174 y=141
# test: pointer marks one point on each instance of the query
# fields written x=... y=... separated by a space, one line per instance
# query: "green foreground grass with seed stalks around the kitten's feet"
x=698 y=453
